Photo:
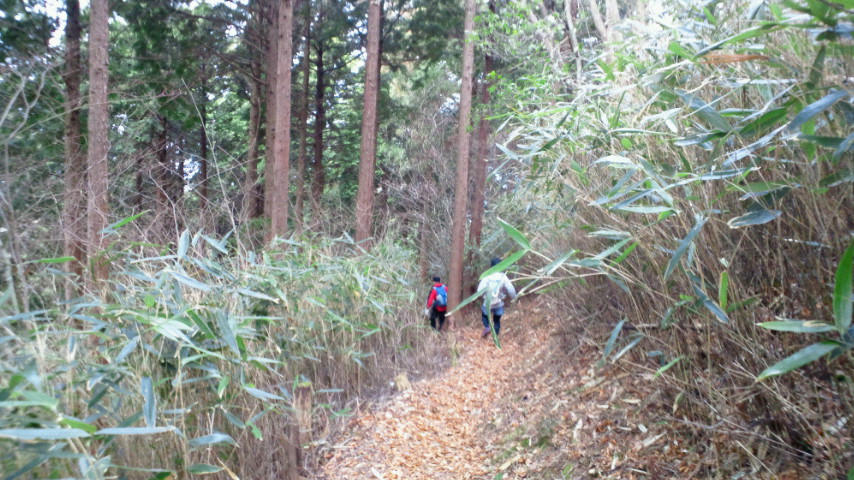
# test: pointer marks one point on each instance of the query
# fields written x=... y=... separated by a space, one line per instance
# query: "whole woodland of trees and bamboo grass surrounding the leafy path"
x=220 y=218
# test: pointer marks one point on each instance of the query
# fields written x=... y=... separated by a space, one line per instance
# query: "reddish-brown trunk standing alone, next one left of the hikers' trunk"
x=368 y=149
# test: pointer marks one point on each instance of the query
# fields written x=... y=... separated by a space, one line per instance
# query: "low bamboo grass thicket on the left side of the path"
x=191 y=347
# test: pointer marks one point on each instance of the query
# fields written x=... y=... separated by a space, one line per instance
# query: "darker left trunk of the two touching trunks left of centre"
x=272 y=58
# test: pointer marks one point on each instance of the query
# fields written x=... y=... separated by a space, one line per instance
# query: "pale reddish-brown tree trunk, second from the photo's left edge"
x=99 y=146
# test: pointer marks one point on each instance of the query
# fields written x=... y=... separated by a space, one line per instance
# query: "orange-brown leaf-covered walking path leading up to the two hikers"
x=434 y=430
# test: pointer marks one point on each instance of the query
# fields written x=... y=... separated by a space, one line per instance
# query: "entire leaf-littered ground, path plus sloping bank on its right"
x=537 y=408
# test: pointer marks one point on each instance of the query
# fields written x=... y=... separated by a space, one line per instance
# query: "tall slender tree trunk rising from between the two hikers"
x=461 y=188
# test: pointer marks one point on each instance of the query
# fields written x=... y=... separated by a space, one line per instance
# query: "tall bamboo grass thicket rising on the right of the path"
x=689 y=198
